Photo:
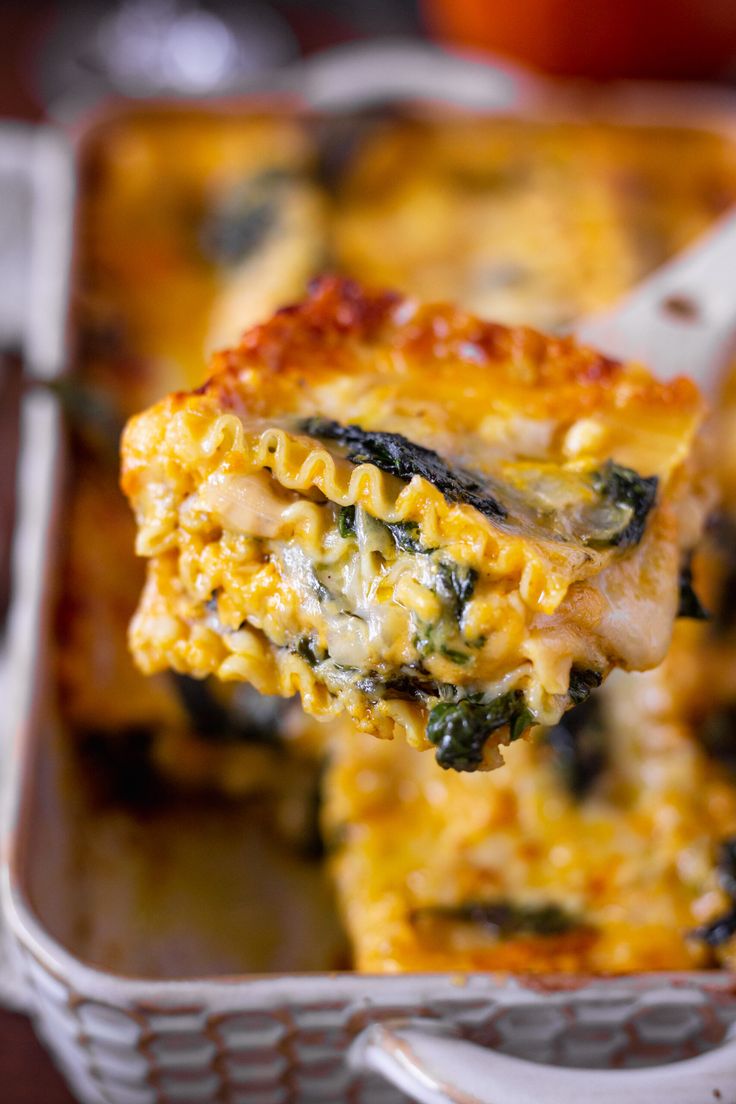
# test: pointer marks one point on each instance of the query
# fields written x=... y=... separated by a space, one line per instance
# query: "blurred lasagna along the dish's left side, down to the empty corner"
x=164 y=241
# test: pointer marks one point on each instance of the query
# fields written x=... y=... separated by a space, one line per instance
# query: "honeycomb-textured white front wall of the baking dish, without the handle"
x=253 y=1044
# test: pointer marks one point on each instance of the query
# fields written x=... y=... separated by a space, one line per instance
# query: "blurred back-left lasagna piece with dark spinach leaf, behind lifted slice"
x=179 y=252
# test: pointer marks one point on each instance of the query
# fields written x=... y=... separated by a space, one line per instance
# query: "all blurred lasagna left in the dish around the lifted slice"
x=607 y=841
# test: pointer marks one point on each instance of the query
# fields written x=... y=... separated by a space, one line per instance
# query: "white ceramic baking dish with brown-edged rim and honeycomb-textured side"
x=130 y=1037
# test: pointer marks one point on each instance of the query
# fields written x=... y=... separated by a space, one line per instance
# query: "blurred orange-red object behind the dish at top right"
x=682 y=39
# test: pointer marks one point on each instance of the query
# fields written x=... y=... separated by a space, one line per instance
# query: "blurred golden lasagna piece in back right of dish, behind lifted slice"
x=526 y=221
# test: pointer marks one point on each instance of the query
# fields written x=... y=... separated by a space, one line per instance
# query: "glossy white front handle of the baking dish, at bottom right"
x=426 y=1060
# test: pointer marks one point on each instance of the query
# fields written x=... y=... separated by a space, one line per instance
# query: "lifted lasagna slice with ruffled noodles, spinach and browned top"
x=441 y=527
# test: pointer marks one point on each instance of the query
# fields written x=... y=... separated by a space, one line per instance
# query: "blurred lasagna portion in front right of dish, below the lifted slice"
x=606 y=844
